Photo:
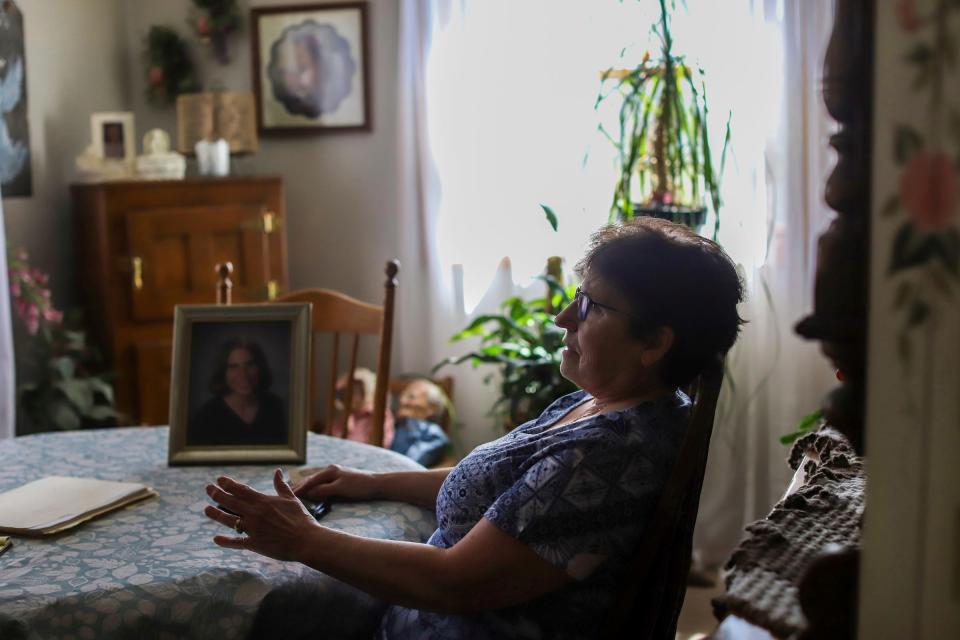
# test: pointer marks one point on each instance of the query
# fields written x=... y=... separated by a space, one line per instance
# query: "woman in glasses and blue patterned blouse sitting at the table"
x=535 y=529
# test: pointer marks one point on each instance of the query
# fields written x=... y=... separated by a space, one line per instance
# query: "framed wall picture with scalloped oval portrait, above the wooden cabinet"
x=311 y=68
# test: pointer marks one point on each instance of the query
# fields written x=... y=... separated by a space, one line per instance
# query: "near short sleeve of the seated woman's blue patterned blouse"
x=585 y=499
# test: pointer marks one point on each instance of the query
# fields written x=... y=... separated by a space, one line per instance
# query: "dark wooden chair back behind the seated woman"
x=649 y=602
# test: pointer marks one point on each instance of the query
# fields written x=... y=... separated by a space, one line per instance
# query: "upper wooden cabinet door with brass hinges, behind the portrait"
x=178 y=249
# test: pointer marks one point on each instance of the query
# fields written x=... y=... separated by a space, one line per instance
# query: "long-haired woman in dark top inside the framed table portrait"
x=242 y=410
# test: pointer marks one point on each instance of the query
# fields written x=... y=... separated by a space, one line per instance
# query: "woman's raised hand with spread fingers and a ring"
x=276 y=526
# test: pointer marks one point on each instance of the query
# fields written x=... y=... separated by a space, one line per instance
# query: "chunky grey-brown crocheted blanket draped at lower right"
x=763 y=574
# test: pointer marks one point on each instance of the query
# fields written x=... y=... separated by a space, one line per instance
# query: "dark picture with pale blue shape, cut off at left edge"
x=15 y=177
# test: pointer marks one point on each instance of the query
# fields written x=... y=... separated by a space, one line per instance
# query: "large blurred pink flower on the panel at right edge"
x=928 y=190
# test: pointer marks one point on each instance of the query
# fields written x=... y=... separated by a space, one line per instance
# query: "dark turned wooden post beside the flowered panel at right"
x=828 y=590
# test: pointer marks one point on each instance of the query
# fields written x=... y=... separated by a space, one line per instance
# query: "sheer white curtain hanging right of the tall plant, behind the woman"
x=776 y=377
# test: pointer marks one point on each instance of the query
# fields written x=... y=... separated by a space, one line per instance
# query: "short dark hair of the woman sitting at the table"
x=674 y=278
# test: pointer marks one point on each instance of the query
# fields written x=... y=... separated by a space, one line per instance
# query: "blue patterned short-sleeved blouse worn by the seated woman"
x=578 y=495
